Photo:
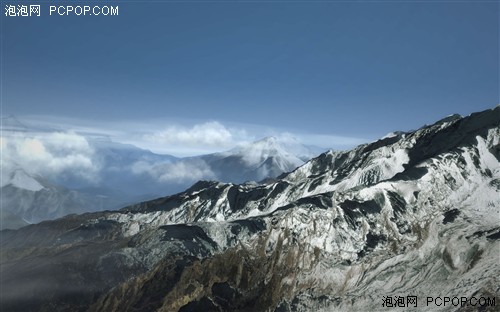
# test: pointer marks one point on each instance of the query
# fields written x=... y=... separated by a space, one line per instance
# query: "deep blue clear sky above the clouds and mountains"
x=331 y=73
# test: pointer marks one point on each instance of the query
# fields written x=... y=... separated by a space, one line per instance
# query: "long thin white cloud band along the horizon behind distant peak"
x=183 y=138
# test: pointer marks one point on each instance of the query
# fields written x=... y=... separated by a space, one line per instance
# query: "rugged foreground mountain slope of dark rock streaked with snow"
x=415 y=214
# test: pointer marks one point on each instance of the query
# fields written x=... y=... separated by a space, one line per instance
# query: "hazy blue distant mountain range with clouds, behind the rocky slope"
x=94 y=173
